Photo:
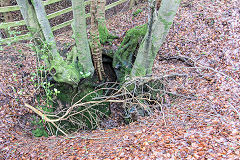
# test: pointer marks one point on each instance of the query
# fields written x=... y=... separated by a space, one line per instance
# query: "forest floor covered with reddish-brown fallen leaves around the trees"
x=206 y=127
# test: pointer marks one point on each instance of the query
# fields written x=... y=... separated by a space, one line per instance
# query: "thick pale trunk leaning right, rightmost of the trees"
x=157 y=32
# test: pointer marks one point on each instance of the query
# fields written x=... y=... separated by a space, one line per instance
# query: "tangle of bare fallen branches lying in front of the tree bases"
x=138 y=96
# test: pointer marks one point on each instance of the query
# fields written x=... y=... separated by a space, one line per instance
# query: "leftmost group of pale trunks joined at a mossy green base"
x=78 y=64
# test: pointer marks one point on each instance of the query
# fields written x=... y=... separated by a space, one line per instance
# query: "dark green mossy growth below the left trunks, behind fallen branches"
x=86 y=116
